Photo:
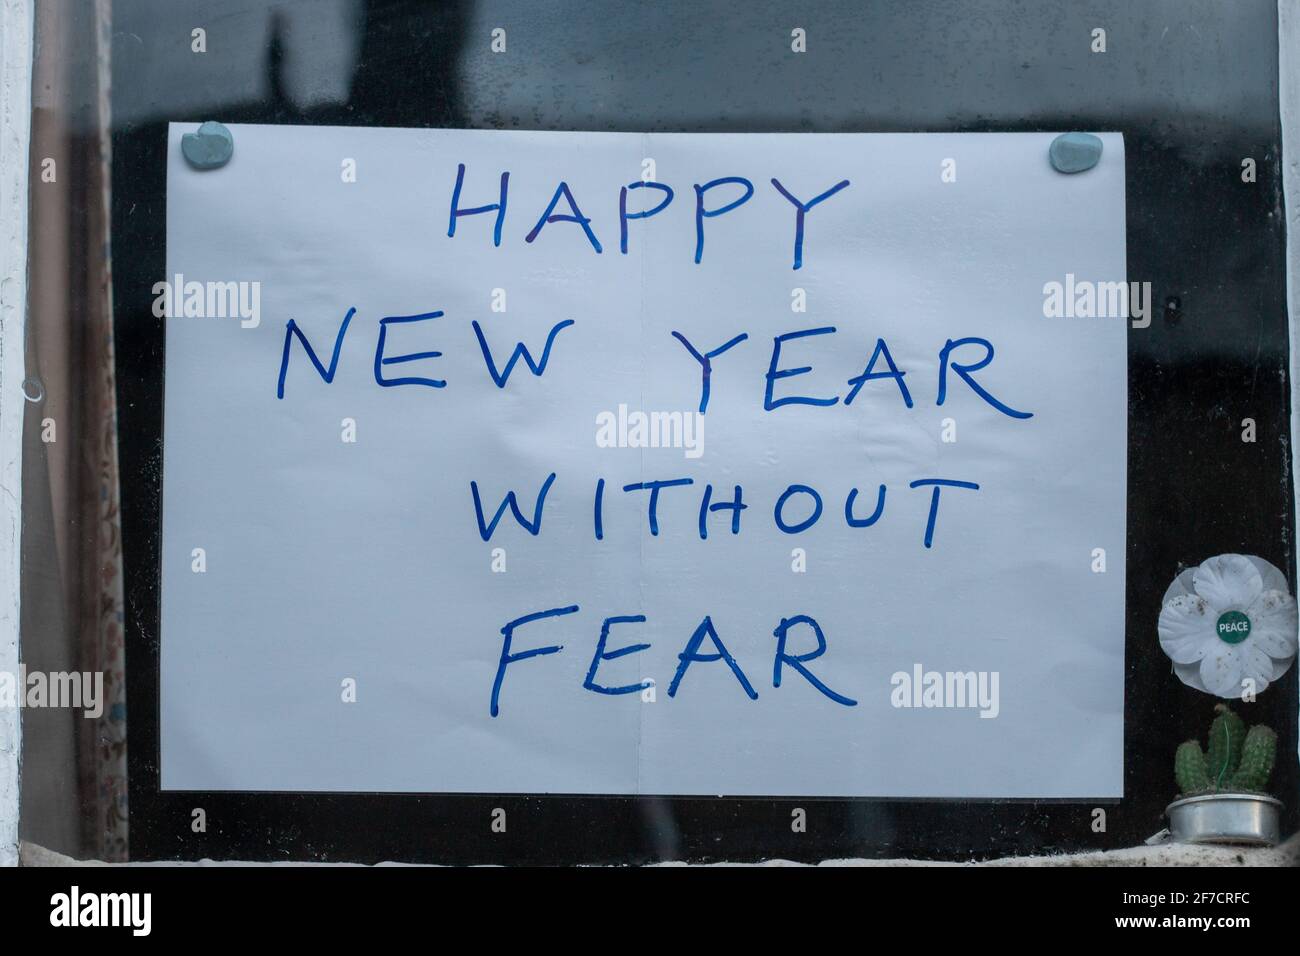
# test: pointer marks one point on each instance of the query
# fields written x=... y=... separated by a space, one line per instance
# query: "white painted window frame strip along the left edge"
x=16 y=38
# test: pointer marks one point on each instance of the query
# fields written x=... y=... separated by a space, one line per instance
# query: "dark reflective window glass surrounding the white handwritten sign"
x=1193 y=85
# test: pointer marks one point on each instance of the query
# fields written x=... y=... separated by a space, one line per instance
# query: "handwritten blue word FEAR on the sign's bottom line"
x=695 y=652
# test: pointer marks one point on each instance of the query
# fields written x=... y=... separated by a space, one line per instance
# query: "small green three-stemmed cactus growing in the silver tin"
x=1237 y=760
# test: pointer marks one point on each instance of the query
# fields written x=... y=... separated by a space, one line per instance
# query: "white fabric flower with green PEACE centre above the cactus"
x=1228 y=622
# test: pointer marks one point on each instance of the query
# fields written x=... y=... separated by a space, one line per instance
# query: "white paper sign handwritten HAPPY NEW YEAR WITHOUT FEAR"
x=811 y=496
